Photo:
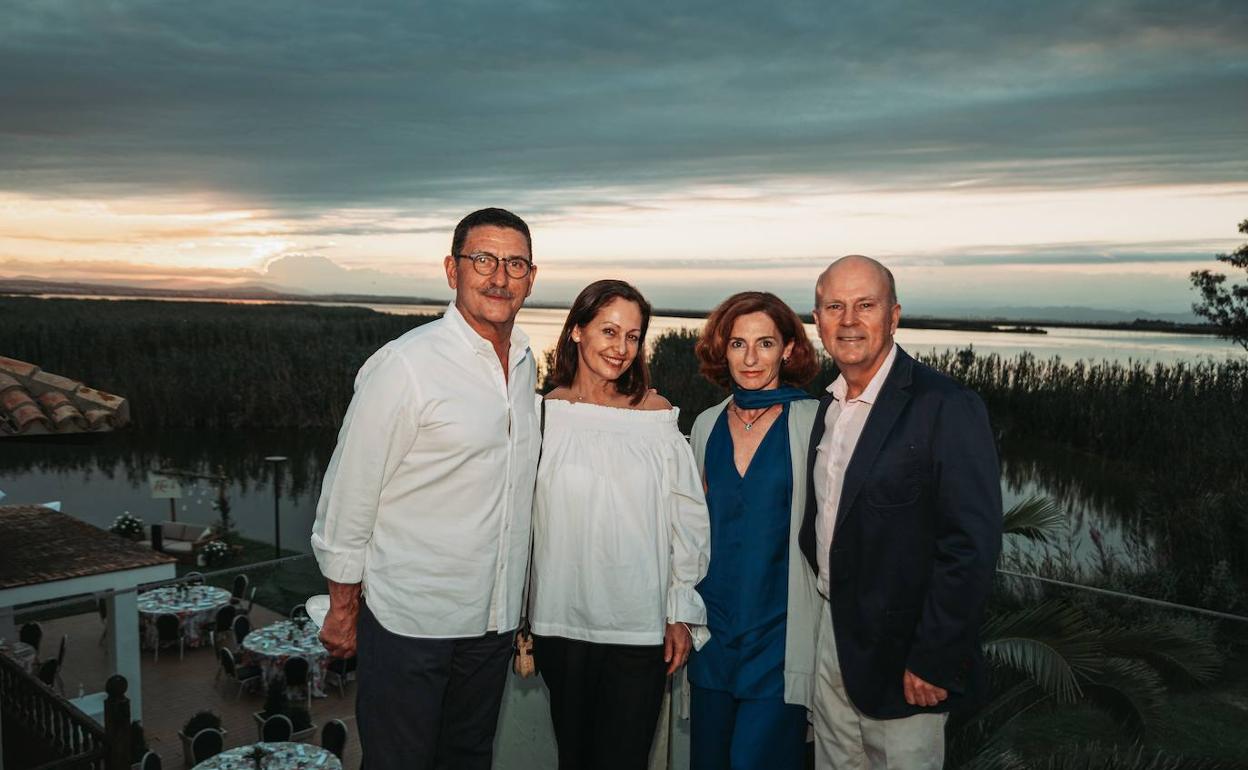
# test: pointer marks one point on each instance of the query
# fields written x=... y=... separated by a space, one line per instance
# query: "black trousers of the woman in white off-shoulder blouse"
x=605 y=701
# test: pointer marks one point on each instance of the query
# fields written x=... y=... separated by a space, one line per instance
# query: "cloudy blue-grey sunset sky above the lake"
x=995 y=154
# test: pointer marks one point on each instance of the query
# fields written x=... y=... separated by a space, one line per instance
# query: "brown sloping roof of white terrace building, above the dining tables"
x=41 y=546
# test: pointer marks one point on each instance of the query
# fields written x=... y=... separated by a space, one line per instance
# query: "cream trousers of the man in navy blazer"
x=846 y=739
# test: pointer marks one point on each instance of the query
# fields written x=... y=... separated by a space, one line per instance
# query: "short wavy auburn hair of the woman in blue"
x=712 y=348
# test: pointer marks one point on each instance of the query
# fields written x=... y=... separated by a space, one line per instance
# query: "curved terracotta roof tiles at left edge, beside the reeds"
x=34 y=402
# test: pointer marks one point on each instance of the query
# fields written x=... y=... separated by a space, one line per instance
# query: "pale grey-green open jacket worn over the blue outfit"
x=804 y=602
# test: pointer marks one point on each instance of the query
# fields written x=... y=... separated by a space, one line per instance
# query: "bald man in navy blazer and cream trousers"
x=903 y=527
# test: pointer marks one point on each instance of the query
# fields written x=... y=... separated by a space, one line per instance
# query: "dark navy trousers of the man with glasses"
x=429 y=704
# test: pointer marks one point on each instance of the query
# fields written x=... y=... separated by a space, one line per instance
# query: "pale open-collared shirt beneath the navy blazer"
x=843 y=426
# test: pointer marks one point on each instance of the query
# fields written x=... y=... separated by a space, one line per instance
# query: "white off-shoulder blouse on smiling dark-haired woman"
x=621 y=529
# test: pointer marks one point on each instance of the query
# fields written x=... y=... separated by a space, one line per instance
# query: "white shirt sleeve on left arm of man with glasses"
x=376 y=435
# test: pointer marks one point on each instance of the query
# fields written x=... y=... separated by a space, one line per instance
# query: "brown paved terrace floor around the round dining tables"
x=177 y=690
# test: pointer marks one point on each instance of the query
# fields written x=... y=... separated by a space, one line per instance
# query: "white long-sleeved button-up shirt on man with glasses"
x=429 y=495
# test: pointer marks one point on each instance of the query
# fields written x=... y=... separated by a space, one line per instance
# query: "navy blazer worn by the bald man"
x=917 y=541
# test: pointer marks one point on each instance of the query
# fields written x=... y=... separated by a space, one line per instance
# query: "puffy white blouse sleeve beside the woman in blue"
x=691 y=542
